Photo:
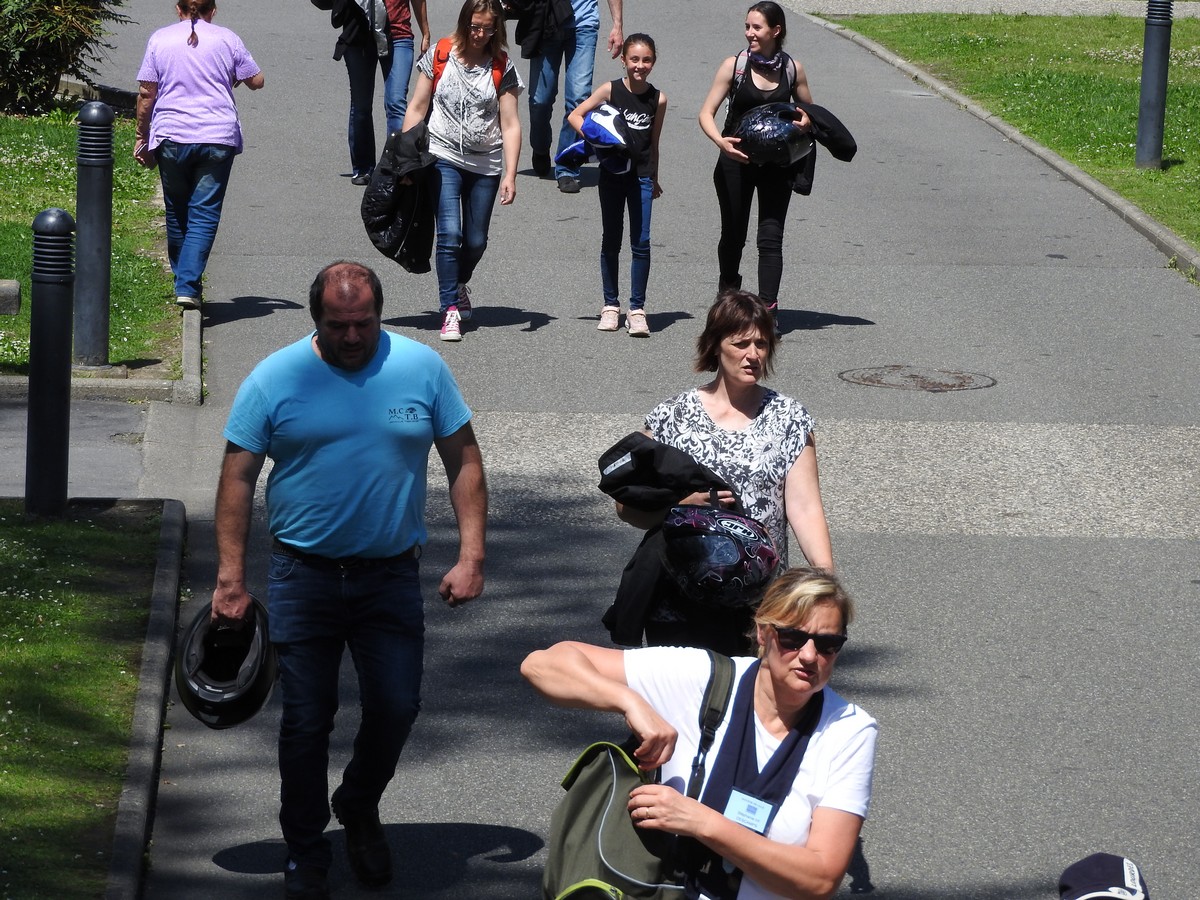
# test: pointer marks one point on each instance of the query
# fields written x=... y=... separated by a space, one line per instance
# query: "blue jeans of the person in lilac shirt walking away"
x=195 y=178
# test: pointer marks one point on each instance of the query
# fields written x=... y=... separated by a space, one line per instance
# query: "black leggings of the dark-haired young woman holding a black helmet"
x=736 y=185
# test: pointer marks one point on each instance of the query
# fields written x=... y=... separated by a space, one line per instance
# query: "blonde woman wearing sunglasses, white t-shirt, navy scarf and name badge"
x=789 y=782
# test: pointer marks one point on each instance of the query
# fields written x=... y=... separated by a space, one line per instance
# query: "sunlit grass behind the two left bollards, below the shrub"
x=38 y=171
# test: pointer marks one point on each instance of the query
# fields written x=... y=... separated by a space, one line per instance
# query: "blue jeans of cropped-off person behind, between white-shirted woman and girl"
x=579 y=56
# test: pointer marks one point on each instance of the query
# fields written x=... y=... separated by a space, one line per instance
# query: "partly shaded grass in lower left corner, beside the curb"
x=74 y=610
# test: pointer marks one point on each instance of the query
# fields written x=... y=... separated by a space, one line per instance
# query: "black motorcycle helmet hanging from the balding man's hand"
x=226 y=674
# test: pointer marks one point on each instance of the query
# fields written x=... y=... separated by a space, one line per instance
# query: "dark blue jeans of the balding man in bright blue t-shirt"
x=315 y=614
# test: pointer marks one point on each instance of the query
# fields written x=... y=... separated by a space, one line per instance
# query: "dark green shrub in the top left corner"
x=44 y=40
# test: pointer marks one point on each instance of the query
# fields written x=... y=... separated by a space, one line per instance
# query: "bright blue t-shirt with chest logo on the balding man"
x=350 y=449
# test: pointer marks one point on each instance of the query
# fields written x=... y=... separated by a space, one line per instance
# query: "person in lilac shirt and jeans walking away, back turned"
x=188 y=125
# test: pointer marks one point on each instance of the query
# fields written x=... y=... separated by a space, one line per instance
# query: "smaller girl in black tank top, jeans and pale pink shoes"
x=643 y=107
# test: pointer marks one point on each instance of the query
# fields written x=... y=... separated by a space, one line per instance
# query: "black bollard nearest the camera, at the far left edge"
x=49 y=433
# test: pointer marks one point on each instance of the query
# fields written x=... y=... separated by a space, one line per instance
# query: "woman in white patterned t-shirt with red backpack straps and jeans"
x=469 y=87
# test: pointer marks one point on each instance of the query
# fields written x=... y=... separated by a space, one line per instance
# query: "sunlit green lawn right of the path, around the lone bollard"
x=1072 y=85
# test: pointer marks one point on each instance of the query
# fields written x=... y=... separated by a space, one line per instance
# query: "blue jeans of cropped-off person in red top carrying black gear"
x=361 y=67
